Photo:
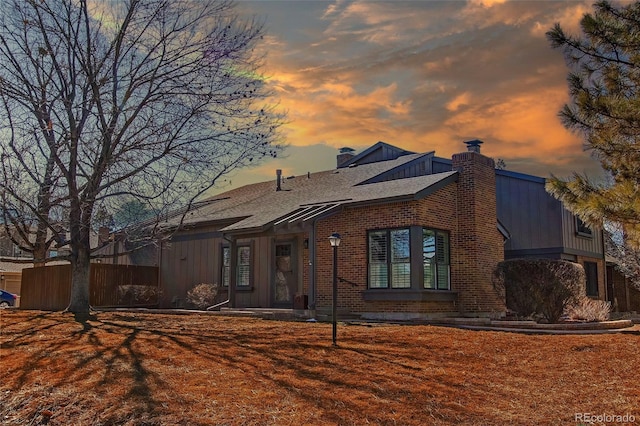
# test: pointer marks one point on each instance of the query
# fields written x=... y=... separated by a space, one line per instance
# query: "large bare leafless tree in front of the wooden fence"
x=148 y=100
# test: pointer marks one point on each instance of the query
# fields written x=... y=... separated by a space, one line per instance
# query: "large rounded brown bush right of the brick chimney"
x=540 y=286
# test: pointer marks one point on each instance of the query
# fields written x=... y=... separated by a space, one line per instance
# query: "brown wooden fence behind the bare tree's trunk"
x=49 y=287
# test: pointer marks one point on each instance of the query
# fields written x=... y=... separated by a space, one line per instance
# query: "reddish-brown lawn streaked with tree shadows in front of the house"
x=153 y=369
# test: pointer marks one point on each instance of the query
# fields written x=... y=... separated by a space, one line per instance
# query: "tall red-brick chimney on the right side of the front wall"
x=479 y=243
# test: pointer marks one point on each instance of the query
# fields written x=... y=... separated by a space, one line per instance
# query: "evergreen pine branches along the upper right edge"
x=604 y=85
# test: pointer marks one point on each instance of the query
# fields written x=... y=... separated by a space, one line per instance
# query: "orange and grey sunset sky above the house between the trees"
x=422 y=75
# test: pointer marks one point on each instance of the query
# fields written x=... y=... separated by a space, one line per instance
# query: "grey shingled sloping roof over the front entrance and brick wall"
x=259 y=206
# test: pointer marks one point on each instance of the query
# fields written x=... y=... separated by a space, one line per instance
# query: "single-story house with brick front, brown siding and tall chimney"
x=420 y=237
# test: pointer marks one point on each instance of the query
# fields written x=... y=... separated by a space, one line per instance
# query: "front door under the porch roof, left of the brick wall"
x=285 y=282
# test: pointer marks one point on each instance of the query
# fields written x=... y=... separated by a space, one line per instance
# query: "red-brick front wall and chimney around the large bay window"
x=466 y=209
